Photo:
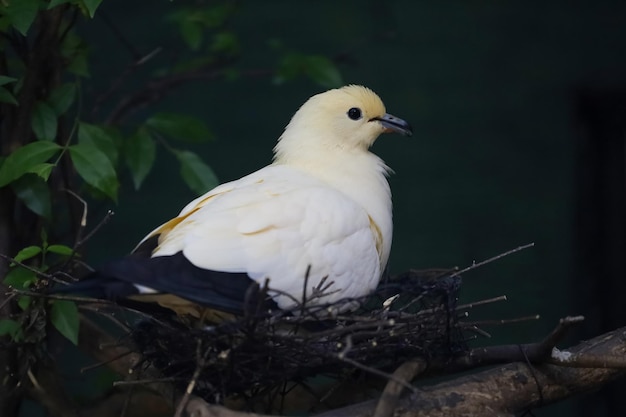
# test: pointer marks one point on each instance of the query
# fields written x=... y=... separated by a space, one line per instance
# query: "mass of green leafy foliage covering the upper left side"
x=64 y=141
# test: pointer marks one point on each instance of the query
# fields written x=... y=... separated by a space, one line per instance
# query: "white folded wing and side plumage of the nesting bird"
x=275 y=224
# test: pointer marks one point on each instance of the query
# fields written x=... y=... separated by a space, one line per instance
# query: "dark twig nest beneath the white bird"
x=411 y=316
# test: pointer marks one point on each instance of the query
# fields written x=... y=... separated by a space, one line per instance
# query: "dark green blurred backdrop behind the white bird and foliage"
x=519 y=117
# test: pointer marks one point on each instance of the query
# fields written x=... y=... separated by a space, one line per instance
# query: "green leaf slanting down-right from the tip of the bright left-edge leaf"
x=95 y=168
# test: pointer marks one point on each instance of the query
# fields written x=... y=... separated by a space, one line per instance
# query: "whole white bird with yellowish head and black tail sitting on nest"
x=322 y=206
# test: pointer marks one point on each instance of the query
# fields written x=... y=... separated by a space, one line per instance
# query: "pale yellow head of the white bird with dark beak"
x=348 y=118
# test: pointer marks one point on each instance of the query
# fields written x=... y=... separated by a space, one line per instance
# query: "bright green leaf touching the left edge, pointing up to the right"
x=25 y=159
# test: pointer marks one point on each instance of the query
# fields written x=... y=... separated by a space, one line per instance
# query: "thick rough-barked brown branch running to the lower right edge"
x=509 y=389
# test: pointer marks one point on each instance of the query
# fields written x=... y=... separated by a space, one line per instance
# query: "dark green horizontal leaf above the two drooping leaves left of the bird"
x=180 y=127
